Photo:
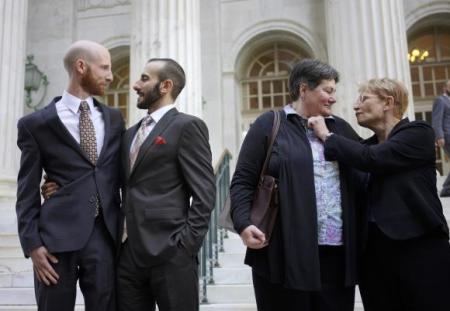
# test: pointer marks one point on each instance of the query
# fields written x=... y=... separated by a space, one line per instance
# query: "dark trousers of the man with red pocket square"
x=173 y=285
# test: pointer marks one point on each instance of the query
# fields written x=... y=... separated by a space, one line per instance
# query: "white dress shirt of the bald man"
x=68 y=111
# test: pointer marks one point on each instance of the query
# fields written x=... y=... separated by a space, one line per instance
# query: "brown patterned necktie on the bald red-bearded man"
x=88 y=142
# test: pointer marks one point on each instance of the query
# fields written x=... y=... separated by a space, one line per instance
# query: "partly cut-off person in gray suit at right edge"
x=441 y=125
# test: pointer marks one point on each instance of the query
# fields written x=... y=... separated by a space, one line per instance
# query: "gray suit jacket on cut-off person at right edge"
x=441 y=119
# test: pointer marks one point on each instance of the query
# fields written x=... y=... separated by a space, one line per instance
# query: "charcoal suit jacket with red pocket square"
x=173 y=167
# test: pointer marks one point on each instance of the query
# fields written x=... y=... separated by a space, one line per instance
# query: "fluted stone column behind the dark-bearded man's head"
x=167 y=28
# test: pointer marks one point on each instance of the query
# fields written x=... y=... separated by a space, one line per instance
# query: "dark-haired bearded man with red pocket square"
x=168 y=196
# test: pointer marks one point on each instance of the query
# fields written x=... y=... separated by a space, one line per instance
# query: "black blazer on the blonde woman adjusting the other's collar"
x=402 y=195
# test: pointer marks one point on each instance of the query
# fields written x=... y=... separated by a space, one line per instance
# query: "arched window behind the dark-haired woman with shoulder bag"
x=263 y=73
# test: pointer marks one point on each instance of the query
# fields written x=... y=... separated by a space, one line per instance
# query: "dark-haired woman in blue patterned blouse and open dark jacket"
x=310 y=263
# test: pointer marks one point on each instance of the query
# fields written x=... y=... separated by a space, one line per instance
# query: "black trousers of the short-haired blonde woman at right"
x=406 y=275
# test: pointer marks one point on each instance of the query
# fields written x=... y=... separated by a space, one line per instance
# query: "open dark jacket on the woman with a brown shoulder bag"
x=292 y=257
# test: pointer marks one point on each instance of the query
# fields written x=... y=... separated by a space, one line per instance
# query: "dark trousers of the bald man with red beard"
x=93 y=266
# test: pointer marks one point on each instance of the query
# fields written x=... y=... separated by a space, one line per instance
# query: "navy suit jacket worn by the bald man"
x=65 y=221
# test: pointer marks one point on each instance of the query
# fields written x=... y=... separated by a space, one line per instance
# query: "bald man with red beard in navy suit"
x=75 y=140
